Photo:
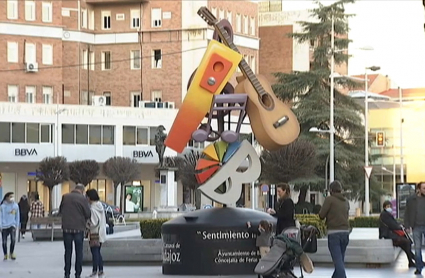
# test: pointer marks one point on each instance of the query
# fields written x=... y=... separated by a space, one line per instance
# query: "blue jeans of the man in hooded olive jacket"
x=337 y=244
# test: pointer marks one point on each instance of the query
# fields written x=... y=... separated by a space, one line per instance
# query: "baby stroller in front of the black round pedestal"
x=285 y=252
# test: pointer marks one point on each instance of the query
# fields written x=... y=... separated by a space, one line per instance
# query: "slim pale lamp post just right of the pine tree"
x=367 y=201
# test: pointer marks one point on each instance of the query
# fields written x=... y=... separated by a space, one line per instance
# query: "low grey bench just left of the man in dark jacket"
x=49 y=228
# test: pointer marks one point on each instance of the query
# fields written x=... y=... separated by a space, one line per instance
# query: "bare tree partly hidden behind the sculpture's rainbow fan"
x=186 y=174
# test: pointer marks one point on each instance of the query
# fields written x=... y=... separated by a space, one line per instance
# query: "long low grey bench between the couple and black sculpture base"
x=127 y=251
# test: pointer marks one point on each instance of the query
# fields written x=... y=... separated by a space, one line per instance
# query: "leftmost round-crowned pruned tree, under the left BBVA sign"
x=52 y=171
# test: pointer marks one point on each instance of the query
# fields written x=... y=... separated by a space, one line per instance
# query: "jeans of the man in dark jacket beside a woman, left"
x=77 y=239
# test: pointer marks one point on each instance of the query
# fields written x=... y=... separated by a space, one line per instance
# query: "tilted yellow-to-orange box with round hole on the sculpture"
x=213 y=73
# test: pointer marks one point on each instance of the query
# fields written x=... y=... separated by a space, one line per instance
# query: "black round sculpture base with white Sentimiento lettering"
x=211 y=242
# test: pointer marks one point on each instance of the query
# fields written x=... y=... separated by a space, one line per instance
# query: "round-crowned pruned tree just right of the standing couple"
x=121 y=170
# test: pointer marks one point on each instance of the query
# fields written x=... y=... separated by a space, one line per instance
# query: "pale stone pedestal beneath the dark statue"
x=168 y=187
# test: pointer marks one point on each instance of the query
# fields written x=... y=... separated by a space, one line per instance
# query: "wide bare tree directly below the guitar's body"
x=292 y=162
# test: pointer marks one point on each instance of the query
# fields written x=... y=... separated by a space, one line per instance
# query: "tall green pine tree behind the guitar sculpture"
x=309 y=93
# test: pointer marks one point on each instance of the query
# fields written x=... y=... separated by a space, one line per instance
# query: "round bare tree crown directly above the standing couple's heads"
x=83 y=171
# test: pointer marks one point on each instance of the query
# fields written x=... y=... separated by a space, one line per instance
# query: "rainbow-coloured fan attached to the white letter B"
x=215 y=155
